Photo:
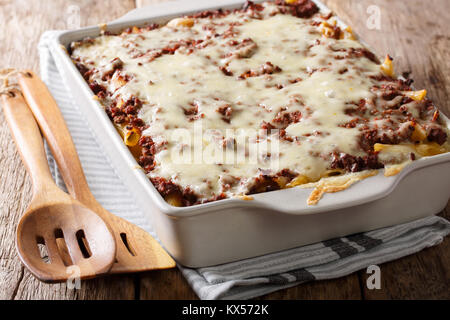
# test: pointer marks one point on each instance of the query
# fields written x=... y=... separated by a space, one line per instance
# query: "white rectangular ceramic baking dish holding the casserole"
x=233 y=229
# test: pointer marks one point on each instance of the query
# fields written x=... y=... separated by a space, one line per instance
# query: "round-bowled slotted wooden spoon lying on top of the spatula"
x=72 y=234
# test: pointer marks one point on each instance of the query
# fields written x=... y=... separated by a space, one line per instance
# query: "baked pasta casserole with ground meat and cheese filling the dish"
x=281 y=91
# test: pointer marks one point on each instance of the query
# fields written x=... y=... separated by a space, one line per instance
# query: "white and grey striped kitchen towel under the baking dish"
x=251 y=277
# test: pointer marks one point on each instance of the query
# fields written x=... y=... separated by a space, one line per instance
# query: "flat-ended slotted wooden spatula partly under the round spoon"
x=137 y=250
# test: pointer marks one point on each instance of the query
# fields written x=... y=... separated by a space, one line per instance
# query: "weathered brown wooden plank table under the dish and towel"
x=415 y=32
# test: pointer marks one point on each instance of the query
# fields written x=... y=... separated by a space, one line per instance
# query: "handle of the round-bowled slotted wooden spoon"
x=28 y=139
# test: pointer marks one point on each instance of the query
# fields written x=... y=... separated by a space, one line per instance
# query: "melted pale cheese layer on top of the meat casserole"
x=262 y=68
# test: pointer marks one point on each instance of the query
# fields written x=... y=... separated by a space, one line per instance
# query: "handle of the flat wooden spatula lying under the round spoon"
x=54 y=128
